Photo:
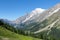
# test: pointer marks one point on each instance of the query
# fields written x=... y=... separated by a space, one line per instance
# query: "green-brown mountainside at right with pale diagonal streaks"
x=50 y=26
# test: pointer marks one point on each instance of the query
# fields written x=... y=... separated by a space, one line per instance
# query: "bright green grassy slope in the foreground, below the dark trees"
x=8 y=35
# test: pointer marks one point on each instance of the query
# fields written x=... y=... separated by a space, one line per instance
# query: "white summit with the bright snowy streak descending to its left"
x=37 y=11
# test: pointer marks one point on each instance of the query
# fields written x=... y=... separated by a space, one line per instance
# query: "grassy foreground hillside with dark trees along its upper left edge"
x=8 y=32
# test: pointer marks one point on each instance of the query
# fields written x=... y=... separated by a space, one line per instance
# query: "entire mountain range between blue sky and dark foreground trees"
x=46 y=22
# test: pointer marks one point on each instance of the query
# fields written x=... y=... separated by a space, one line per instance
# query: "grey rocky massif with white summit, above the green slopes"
x=37 y=15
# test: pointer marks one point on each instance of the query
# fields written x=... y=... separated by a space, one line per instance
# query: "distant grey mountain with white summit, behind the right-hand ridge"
x=27 y=17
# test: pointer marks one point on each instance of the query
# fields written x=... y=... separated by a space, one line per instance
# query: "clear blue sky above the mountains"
x=12 y=9
